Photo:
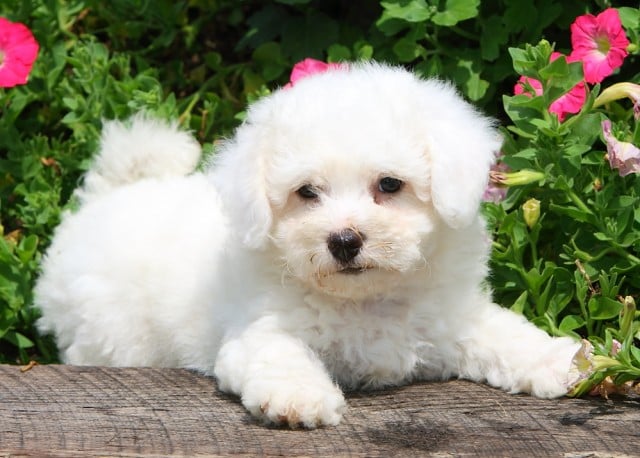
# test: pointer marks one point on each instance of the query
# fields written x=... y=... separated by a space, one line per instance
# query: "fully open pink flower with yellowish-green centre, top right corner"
x=600 y=43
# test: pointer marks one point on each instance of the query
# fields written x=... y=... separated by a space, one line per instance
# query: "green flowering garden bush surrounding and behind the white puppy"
x=566 y=221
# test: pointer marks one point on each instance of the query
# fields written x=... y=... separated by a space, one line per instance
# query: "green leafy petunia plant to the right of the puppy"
x=576 y=270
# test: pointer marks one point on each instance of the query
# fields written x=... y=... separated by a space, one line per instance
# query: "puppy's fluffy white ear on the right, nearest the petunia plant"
x=462 y=146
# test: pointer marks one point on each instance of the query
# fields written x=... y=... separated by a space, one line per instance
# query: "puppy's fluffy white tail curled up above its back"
x=139 y=148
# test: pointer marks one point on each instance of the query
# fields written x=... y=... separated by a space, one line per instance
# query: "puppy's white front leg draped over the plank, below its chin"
x=279 y=379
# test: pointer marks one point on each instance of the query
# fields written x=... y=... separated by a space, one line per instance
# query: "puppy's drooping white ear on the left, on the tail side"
x=238 y=174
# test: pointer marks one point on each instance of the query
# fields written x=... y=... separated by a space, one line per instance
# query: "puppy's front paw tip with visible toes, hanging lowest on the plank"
x=294 y=404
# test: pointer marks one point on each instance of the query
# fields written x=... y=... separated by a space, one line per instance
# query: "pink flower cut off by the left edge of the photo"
x=18 y=51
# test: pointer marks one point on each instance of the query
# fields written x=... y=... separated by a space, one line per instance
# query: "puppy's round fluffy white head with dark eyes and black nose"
x=348 y=174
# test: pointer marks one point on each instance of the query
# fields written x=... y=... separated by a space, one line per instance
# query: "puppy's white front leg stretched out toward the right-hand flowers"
x=507 y=351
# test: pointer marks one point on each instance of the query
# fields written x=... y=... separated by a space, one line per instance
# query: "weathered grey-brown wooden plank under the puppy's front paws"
x=95 y=411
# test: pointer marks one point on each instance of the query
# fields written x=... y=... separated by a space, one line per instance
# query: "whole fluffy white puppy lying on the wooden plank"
x=335 y=243
